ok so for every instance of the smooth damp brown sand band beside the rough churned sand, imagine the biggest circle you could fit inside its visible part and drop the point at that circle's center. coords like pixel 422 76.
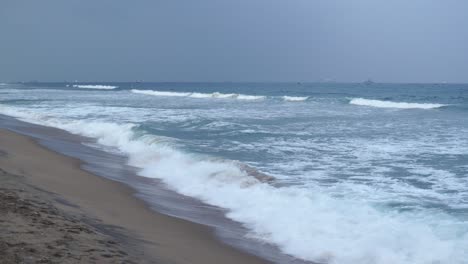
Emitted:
pixel 157 237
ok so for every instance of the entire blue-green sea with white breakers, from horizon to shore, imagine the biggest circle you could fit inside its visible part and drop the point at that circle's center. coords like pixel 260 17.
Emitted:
pixel 329 173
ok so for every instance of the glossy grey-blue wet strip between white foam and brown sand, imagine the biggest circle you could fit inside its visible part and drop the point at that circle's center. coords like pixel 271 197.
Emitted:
pixel 155 193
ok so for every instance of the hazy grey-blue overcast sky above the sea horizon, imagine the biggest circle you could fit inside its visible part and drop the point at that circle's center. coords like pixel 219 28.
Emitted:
pixel 234 40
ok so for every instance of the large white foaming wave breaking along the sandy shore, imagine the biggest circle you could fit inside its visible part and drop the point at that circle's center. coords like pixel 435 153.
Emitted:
pixel 304 222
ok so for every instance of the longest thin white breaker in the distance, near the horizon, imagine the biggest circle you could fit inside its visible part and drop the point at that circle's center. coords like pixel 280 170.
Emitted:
pixel 199 95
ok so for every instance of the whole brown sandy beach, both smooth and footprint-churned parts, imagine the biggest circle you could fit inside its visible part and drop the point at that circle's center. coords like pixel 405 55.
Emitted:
pixel 51 211
